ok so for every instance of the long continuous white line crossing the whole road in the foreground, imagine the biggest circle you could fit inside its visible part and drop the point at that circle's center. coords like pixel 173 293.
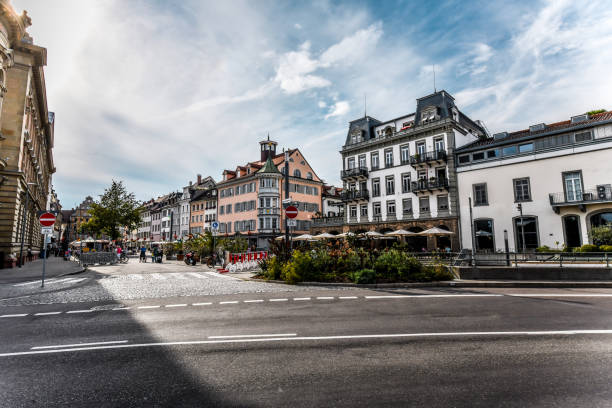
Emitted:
pixel 312 338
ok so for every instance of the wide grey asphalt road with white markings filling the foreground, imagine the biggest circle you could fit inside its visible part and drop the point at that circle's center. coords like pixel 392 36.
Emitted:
pixel 294 346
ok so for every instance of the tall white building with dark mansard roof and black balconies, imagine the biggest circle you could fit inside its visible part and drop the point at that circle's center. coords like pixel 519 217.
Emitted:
pixel 401 173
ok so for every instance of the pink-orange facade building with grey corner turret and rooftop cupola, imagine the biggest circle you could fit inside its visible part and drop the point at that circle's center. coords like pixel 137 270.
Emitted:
pixel 250 197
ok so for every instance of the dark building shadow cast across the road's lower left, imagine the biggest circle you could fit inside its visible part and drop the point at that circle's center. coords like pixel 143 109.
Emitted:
pixel 148 376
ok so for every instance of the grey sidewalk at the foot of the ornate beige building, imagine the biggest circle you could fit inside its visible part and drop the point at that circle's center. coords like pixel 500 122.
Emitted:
pixel 56 266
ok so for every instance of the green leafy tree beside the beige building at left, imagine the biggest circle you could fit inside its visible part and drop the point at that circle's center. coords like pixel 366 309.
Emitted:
pixel 116 208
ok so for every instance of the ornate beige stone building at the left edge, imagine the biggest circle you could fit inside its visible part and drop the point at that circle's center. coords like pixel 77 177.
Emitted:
pixel 26 136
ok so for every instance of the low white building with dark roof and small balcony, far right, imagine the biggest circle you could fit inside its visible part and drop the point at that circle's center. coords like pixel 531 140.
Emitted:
pixel 560 174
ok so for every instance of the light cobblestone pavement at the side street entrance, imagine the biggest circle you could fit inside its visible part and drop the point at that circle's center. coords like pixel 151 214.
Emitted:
pixel 146 280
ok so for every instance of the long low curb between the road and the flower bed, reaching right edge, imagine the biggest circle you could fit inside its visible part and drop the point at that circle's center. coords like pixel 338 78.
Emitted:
pixel 453 284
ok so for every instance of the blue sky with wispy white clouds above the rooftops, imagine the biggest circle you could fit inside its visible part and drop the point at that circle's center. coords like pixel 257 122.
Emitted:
pixel 154 92
